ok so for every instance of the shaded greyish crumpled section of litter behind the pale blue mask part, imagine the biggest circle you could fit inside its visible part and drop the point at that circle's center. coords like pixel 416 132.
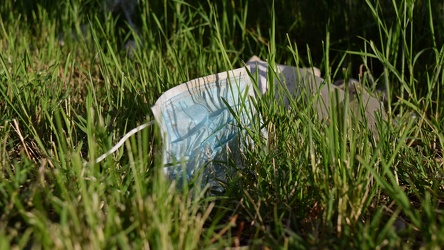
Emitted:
pixel 363 108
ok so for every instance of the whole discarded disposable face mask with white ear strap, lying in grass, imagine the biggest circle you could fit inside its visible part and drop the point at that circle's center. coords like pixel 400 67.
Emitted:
pixel 203 122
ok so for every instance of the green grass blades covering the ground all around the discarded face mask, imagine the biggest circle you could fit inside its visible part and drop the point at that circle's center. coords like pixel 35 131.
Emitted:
pixel 310 184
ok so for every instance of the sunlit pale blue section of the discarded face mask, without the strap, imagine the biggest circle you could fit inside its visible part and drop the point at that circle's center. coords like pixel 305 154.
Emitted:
pixel 199 121
